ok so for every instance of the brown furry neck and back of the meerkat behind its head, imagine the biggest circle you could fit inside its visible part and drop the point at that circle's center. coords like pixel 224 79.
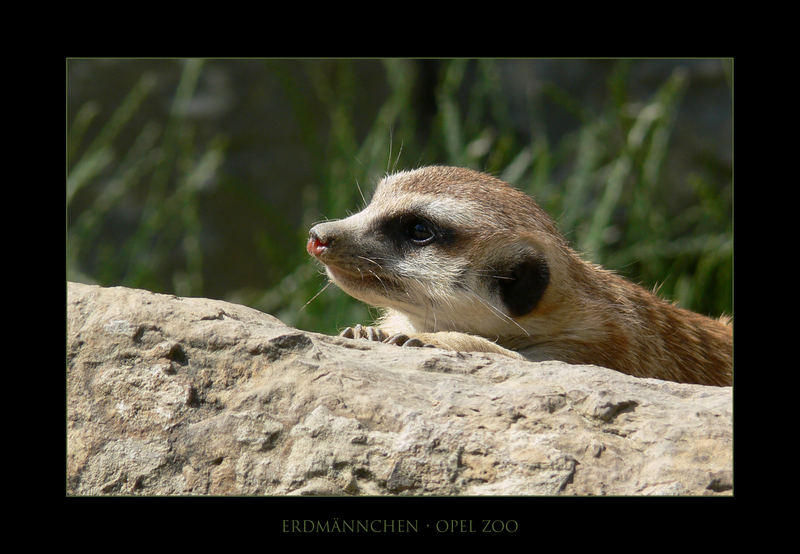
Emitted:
pixel 612 321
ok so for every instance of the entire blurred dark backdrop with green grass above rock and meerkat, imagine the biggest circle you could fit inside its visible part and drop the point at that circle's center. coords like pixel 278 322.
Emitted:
pixel 202 177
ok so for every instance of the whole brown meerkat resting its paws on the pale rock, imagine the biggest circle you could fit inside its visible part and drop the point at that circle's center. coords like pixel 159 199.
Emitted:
pixel 463 261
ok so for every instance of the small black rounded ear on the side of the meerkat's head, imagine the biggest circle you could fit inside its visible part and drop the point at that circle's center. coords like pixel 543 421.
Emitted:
pixel 523 283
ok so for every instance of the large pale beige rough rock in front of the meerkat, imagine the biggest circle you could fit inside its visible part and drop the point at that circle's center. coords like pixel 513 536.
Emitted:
pixel 191 396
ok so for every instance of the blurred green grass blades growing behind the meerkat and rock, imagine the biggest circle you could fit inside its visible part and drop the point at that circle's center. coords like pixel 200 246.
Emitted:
pixel 603 183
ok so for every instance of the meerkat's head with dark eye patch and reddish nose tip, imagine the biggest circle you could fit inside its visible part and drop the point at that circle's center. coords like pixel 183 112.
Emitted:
pixel 452 249
